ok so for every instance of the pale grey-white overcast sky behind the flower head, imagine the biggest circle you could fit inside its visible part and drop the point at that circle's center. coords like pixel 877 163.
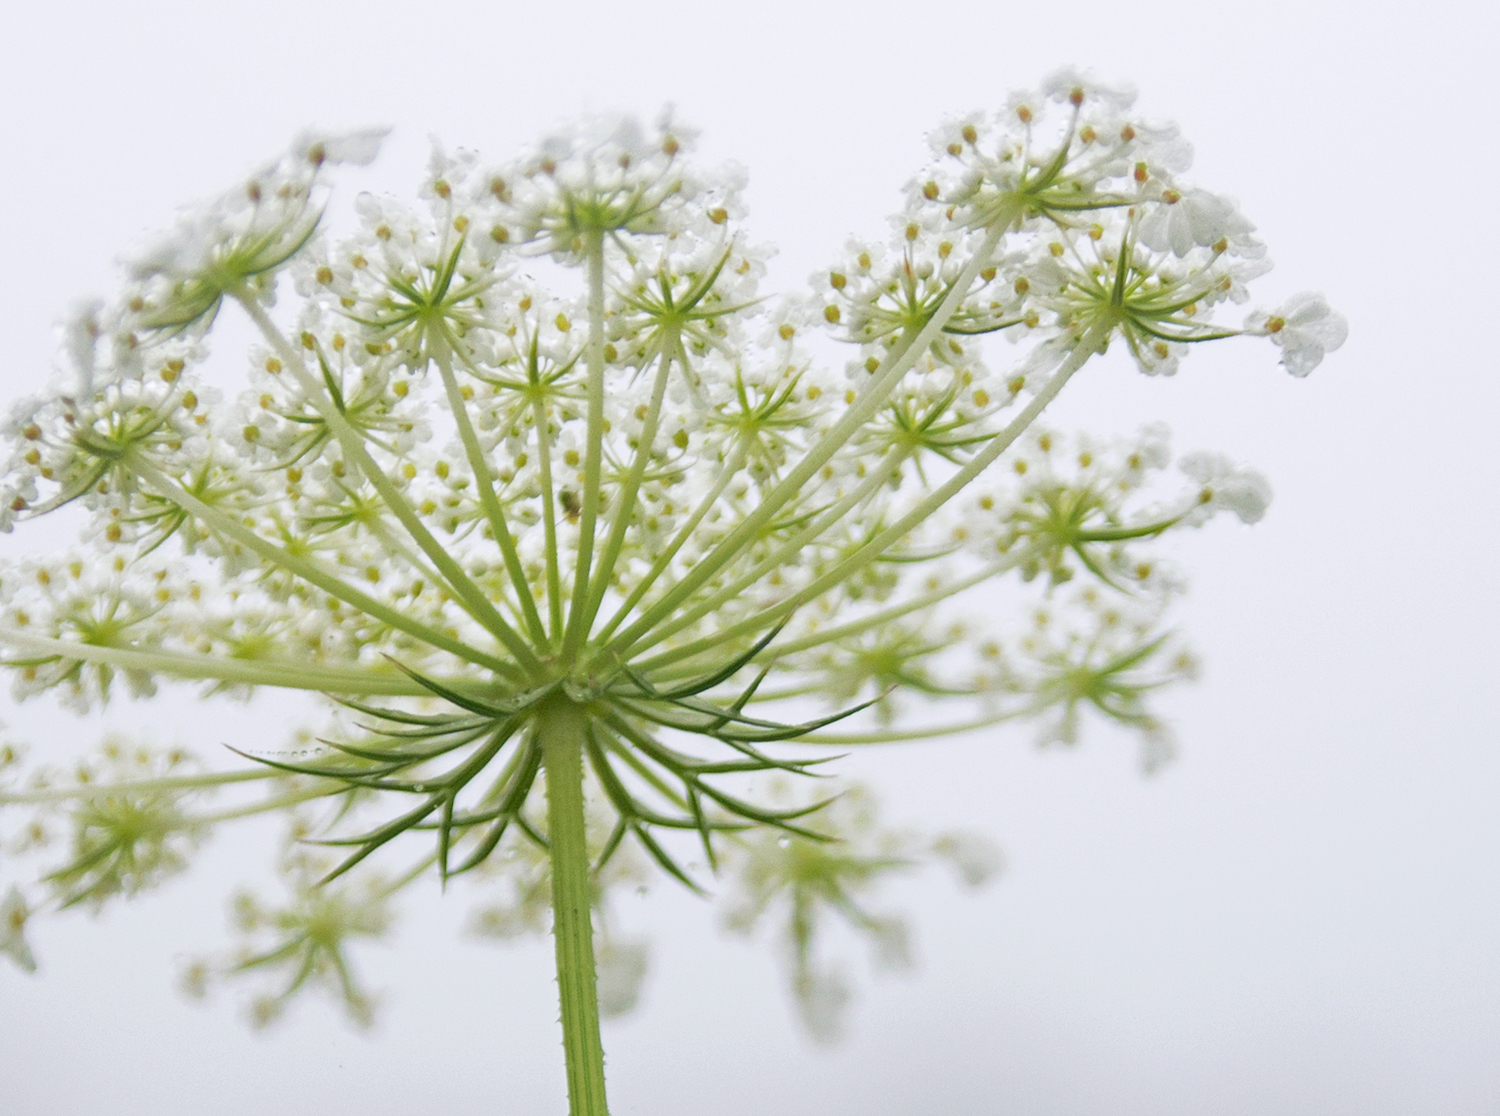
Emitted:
pixel 1301 917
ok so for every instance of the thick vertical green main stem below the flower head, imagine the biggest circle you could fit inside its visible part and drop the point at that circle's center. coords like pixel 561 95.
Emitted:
pixel 563 727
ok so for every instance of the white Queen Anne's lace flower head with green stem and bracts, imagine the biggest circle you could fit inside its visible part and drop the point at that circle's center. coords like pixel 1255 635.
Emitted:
pixel 527 538
